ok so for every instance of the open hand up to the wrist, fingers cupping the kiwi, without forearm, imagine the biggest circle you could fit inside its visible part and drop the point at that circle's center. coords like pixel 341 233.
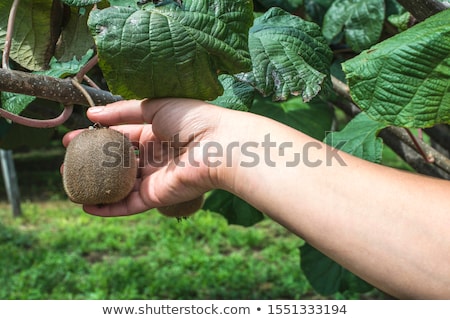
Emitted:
pixel 167 133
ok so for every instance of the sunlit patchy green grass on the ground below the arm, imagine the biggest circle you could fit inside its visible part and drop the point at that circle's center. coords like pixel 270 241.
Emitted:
pixel 56 251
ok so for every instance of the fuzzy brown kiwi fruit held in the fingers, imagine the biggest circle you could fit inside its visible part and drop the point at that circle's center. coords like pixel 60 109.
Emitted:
pixel 99 167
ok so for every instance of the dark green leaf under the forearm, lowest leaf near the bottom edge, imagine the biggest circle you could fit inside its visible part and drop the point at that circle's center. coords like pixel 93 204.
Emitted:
pixel 326 276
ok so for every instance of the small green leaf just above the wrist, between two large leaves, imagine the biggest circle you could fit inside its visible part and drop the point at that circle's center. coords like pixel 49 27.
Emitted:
pixel 237 95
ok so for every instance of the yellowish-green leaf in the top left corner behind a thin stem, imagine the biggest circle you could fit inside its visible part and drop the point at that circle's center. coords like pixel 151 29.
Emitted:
pixel 36 29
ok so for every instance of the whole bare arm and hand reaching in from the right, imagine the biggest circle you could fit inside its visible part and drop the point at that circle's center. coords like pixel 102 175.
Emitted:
pixel 387 226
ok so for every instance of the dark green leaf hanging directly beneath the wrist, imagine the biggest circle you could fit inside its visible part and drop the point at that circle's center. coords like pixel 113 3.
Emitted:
pixel 234 209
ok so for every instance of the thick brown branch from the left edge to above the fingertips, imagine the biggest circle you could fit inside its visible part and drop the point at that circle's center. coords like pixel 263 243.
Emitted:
pixel 50 88
